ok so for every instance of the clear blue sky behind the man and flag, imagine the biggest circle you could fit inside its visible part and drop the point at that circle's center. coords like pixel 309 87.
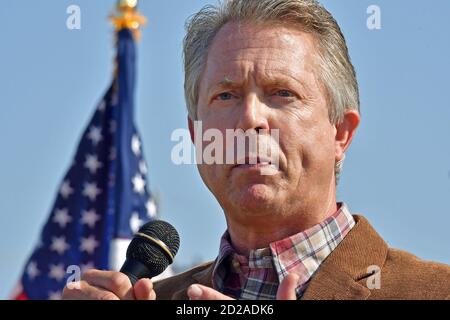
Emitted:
pixel 397 171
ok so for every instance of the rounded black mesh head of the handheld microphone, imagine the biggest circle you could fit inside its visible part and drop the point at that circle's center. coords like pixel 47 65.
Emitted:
pixel 151 254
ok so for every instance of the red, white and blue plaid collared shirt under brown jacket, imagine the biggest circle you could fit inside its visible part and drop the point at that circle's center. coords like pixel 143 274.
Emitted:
pixel 258 275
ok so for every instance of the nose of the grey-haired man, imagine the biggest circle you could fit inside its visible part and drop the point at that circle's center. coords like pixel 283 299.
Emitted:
pixel 253 114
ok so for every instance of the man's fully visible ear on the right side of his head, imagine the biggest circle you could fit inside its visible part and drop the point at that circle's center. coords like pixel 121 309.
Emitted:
pixel 345 131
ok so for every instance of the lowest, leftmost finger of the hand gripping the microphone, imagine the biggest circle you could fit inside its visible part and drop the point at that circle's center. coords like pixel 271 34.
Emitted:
pixel 82 290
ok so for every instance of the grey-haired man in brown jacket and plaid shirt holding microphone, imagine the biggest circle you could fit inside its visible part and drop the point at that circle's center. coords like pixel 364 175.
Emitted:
pixel 279 64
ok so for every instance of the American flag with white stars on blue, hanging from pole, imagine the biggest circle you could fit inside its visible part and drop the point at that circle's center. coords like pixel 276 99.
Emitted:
pixel 103 198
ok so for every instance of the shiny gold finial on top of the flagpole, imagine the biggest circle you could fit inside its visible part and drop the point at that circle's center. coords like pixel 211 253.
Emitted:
pixel 127 17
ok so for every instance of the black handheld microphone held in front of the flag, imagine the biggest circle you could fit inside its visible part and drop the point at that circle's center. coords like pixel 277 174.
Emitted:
pixel 151 250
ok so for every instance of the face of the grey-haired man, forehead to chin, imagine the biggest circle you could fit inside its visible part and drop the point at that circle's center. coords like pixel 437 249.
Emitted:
pixel 266 77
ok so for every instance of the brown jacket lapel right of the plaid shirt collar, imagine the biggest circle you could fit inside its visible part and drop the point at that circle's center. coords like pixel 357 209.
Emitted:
pixel 343 275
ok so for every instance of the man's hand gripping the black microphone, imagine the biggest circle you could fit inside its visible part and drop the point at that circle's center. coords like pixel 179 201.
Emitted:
pixel 108 285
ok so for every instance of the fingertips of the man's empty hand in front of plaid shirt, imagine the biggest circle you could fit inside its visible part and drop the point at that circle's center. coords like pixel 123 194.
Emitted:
pixel 286 291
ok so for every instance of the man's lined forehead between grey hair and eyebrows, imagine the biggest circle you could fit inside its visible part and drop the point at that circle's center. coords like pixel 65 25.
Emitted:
pixel 239 49
